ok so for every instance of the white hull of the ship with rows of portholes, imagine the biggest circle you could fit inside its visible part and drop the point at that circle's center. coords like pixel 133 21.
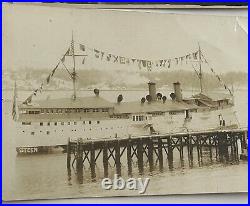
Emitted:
pixel 35 135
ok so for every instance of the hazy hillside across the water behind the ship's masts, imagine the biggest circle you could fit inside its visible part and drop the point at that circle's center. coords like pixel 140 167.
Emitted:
pixel 28 79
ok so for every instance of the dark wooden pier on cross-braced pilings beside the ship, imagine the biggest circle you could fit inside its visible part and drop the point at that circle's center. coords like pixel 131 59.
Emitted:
pixel 149 149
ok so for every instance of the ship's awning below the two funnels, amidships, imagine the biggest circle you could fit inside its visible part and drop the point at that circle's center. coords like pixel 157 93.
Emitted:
pixel 157 106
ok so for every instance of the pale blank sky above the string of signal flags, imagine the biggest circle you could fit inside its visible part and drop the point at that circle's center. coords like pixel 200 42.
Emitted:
pixel 38 36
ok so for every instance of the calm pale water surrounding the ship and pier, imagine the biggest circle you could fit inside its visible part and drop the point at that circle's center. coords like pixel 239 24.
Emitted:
pixel 46 176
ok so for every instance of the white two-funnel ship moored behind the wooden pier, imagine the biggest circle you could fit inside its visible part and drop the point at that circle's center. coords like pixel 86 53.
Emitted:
pixel 44 125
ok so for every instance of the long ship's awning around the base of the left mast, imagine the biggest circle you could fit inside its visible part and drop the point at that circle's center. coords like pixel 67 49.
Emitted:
pixel 79 102
